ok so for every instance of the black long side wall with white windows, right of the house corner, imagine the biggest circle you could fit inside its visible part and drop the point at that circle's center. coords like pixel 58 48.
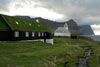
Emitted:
pixel 37 35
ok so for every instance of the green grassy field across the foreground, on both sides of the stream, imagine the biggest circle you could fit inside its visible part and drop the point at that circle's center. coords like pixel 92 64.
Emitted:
pixel 38 54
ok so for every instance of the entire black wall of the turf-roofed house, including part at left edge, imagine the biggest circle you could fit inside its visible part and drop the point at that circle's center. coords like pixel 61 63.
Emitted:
pixel 10 36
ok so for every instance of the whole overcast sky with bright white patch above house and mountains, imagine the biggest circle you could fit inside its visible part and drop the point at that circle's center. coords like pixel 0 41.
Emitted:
pixel 82 11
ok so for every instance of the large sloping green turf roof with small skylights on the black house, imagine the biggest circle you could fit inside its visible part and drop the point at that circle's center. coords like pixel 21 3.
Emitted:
pixel 25 25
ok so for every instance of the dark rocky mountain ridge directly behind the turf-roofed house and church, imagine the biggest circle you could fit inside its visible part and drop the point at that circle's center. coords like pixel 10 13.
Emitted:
pixel 53 25
